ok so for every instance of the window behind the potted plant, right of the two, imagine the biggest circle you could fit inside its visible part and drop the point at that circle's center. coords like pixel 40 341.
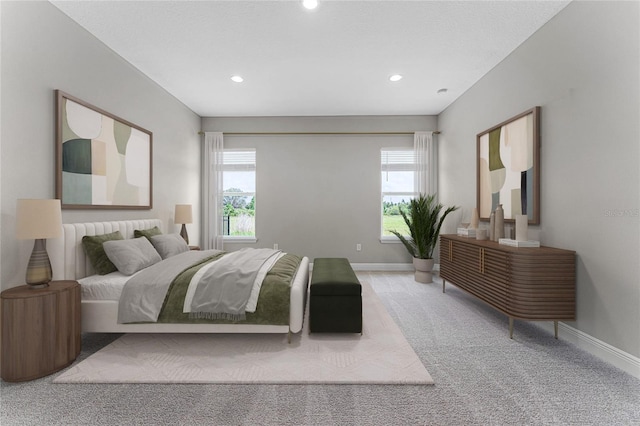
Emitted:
pixel 398 187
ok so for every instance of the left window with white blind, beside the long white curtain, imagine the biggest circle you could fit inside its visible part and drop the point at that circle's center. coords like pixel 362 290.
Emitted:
pixel 239 195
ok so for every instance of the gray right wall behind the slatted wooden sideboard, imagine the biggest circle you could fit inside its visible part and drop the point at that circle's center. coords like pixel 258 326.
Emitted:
pixel 582 68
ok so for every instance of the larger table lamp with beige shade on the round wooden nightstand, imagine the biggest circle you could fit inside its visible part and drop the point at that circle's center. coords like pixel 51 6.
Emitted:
pixel 38 220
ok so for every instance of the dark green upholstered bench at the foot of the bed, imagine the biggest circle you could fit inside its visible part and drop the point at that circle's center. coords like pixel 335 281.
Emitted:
pixel 335 301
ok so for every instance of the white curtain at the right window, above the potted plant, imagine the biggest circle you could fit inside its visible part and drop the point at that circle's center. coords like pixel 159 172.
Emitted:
pixel 426 151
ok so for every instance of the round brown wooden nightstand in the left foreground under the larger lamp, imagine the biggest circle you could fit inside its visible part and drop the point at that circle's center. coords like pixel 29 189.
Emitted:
pixel 40 330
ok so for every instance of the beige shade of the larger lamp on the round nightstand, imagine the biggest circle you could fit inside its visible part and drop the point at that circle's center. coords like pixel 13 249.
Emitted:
pixel 38 219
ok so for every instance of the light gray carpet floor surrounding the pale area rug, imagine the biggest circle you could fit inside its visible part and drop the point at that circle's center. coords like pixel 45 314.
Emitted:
pixel 482 378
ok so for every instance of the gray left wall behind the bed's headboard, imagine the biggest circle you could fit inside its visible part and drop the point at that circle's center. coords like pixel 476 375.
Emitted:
pixel 43 50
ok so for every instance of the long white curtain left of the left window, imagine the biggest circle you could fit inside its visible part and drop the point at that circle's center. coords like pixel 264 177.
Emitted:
pixel 213 190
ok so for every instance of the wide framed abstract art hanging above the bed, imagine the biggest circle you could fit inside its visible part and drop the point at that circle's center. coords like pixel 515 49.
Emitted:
pixel 102 161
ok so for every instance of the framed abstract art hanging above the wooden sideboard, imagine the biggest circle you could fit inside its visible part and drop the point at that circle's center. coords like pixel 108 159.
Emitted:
pixel 509 168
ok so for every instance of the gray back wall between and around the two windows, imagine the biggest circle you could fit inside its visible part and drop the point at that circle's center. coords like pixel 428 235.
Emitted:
pixel 319 195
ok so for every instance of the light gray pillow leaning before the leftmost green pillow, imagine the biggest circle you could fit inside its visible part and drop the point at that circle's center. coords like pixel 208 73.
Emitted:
pixel 131 255
